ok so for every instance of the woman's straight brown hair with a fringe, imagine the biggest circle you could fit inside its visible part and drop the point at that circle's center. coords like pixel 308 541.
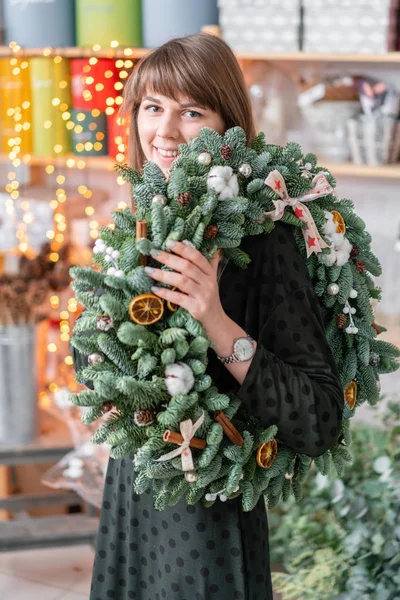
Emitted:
pixel 203 68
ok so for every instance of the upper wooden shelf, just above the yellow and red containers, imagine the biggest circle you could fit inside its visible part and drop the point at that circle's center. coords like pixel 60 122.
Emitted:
pixel 137 53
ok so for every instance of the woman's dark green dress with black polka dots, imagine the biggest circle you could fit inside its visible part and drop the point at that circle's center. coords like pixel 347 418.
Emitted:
pixel 196 553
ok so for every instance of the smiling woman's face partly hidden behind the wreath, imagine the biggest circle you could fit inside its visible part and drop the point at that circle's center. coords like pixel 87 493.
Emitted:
pixel 164 123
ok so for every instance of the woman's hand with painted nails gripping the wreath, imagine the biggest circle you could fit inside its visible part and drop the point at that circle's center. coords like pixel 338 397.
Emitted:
pixel 194 276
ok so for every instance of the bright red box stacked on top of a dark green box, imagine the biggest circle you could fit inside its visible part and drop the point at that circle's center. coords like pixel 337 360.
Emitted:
pixel 93 85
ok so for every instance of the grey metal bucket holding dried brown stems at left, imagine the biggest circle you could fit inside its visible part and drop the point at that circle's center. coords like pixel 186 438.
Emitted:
pixel 18 385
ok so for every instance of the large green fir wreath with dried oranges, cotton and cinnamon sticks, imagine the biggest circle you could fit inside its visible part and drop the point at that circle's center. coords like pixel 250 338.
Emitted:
pixel 148 359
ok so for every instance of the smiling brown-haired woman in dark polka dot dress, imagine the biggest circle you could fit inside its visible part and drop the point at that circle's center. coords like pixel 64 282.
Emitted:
pixel 191 552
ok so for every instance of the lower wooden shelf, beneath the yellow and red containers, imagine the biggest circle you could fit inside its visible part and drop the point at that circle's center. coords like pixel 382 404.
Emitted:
pixel 107 163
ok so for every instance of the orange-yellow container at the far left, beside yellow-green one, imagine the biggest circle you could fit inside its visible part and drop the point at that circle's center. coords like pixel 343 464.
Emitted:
pixel 15 106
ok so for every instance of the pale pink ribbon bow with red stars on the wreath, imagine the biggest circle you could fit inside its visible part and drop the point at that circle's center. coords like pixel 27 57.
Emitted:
pixel 321 188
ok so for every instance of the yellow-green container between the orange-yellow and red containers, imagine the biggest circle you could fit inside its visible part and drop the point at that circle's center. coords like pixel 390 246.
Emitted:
pixel 51 99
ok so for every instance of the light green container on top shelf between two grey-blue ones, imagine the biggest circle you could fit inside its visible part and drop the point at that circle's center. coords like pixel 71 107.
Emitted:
pixel 104 21
